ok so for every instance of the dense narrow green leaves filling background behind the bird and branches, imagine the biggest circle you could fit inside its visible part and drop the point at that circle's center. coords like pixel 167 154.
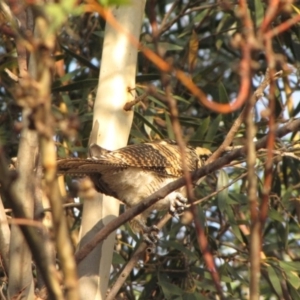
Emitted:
pixel 197 37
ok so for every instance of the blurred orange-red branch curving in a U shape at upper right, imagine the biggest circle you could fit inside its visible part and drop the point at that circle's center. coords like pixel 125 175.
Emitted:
pixel 245 65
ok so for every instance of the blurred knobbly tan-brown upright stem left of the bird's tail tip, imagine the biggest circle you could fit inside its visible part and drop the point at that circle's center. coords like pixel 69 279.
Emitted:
pixel 43 120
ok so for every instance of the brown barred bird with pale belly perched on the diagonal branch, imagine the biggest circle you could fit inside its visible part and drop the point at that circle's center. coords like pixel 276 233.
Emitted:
pixel 132 173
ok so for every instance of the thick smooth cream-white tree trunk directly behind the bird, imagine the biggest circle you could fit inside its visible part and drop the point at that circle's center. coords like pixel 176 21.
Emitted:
pixel 111 127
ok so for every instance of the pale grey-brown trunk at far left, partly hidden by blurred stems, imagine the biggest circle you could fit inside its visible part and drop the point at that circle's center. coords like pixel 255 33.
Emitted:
pixel 20 258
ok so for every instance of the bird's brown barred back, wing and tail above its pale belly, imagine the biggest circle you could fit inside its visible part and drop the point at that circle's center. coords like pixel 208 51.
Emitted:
pixel 162 158
